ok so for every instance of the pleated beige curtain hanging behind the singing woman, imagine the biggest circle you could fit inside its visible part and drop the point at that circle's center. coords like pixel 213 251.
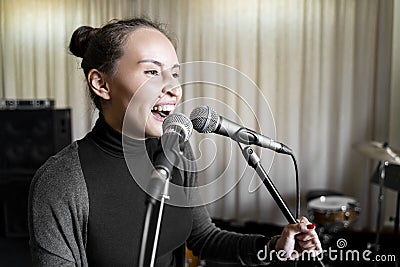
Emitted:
pixel 316 75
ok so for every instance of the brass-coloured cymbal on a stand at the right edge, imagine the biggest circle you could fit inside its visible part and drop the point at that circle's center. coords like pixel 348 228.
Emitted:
pixel 379 151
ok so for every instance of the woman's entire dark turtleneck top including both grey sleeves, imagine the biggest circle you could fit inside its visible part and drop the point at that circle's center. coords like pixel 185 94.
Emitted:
pixel 86 208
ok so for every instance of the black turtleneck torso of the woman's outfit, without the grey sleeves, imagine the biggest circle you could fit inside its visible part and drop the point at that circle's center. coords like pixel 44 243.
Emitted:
pixel 117 202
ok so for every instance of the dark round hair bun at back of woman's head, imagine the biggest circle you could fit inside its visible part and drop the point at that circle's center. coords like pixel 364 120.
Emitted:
pixel 80 40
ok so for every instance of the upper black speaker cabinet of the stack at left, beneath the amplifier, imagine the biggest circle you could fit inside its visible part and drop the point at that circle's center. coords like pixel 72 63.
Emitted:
pixel 29 137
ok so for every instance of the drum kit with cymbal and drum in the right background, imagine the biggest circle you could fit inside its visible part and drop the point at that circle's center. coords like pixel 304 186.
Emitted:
pixel 334 212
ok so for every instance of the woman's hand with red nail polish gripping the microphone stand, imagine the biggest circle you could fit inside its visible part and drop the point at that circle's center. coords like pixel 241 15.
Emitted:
pixel 296 238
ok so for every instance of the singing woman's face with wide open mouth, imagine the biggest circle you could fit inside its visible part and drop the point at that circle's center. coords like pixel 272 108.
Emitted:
pixel 145 88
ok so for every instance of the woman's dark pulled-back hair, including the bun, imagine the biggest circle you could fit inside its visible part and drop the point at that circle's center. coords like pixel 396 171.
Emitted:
pixel 100 48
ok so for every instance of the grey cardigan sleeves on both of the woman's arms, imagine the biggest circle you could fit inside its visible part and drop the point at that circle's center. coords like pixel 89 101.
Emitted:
pixel 59 211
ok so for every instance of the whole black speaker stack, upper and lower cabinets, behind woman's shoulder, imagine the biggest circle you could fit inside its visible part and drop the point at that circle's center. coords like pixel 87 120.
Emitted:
pixel 27 139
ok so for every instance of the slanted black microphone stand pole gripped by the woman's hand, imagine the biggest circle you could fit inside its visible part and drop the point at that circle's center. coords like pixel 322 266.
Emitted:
pixel 254 161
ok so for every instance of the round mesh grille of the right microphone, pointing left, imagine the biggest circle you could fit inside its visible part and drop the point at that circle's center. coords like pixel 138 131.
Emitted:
pixel 205 119
